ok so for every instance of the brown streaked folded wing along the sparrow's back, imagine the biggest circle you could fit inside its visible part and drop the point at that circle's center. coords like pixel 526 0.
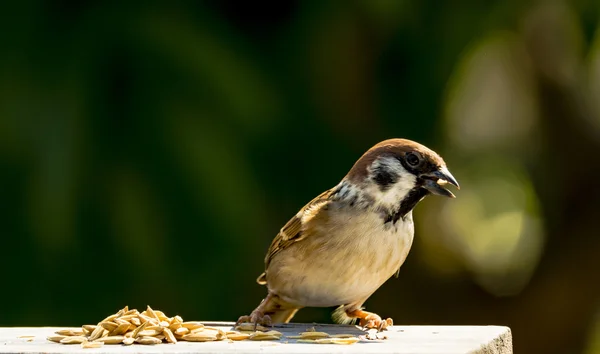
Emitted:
pixel 291 232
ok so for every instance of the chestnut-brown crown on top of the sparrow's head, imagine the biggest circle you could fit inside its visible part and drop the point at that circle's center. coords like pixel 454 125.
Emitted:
pixel 394 147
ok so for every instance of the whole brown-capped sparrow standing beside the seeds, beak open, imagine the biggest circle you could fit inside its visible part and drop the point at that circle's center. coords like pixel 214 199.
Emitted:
pixel 345 243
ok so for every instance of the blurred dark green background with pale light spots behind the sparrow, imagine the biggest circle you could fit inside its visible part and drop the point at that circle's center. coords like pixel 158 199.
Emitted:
pixel 150 153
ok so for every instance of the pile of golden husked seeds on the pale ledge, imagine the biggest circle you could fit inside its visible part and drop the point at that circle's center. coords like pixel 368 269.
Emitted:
pixel 149 327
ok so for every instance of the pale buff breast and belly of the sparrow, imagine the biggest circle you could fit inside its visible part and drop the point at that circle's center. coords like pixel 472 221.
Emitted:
pixel 343 266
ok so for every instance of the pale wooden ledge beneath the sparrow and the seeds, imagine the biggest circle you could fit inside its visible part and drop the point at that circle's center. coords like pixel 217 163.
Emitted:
pixel 401 339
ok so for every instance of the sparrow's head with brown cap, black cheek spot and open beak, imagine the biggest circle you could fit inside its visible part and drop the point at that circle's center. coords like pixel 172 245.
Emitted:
pixel 400 172
